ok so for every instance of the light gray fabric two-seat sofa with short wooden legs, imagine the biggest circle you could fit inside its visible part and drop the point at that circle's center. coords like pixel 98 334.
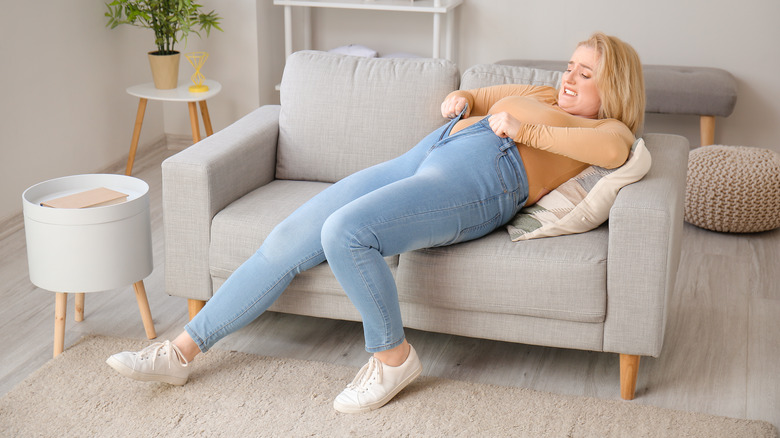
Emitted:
pixel 604 290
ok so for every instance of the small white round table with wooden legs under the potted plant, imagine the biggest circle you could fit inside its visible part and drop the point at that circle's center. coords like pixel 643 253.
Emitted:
pixel 147 91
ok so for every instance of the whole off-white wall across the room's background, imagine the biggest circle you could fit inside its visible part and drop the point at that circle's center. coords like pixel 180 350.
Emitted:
pixel 64 109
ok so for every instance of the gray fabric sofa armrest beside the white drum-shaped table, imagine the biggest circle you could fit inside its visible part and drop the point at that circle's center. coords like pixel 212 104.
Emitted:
pixel 202 180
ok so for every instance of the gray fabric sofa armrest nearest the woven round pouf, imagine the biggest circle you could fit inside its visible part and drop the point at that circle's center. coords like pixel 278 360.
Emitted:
pixel 645 232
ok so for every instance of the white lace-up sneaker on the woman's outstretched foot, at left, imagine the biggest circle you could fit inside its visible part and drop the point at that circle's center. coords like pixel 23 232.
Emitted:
pixel 159 362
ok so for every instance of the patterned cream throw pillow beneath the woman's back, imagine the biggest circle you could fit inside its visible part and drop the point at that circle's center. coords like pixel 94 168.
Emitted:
pixel 581 203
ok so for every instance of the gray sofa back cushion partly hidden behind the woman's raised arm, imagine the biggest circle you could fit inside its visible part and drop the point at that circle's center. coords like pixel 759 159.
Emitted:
pixel 486 75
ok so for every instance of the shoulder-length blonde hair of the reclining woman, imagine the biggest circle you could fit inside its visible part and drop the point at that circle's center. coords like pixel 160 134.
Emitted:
pixel 620 80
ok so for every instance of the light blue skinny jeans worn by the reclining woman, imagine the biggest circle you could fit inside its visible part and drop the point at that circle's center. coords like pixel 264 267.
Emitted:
pixel 445 190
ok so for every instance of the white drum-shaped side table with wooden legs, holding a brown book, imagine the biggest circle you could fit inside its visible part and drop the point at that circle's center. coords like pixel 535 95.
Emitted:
pixel 79 250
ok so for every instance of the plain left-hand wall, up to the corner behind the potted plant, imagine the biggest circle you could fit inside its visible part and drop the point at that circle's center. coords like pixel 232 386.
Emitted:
pixel 64 109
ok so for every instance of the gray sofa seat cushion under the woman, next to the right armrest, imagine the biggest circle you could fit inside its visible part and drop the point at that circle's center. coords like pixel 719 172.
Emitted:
pixel 495 275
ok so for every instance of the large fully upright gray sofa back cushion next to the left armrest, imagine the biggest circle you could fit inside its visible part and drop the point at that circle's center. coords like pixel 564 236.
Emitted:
pixel 341 114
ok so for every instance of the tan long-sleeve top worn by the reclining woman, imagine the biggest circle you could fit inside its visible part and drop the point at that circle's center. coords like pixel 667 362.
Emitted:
pixel 554 145
